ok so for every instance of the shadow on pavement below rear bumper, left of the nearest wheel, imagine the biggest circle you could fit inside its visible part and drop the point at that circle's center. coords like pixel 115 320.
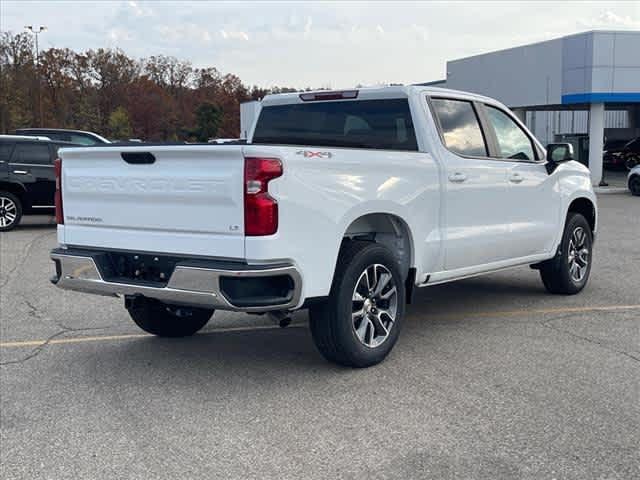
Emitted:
pixel 261 356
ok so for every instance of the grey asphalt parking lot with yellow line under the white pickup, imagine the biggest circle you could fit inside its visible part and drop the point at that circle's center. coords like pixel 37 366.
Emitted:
pixel 492 378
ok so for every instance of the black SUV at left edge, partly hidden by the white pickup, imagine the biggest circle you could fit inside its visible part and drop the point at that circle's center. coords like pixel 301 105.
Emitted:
pixel 27 178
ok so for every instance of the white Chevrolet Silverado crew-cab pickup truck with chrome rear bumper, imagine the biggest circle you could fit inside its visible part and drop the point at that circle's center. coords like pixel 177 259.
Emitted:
pixel 342 202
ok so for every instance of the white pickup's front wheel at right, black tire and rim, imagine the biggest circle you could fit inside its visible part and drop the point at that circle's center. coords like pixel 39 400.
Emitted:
pixel 558 274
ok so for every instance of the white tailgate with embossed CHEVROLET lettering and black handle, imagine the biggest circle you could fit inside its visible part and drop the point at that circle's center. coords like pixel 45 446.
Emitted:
pixel 185 199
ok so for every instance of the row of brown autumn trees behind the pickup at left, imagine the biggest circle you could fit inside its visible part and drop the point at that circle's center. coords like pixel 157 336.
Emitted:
pixel 104 90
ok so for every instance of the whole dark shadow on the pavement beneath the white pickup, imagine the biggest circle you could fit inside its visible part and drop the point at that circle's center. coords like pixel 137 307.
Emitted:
pixel 266 354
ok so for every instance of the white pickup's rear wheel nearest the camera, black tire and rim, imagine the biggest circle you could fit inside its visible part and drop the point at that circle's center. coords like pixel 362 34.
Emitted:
pixel 333 324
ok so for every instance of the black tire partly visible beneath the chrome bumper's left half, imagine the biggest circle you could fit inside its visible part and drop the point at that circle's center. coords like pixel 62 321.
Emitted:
pixel 165 320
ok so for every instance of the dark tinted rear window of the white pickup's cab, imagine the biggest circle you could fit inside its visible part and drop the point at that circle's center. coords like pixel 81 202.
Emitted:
pixel 378 124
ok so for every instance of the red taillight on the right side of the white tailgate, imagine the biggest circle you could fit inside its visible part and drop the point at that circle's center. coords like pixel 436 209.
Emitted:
pixel 260 209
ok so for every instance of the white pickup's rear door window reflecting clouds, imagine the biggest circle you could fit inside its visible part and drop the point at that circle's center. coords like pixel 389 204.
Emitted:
pixel 460 127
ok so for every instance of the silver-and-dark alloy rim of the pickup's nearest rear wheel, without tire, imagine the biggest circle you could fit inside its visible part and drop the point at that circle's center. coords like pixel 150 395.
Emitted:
pixel 374 305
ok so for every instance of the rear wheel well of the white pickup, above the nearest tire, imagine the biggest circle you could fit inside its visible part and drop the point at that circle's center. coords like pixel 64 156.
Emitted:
pixel 392 232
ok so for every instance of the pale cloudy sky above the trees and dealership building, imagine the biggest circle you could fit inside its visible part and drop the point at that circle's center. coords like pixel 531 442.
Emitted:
pixel 313 44
